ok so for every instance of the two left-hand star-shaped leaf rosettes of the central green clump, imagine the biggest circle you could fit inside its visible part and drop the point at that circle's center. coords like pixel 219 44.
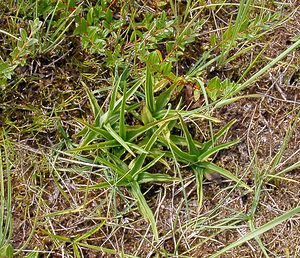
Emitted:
pixel 117 142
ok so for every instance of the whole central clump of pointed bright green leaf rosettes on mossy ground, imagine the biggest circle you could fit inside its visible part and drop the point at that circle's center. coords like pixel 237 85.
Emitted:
pixel 124 149
